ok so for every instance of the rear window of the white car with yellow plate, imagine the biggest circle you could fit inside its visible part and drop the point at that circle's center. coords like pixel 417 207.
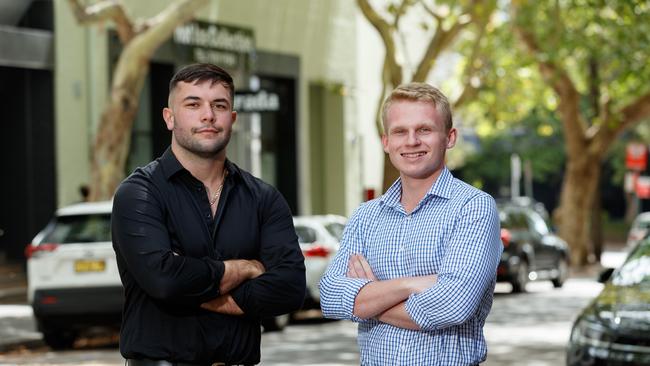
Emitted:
pixel 80 229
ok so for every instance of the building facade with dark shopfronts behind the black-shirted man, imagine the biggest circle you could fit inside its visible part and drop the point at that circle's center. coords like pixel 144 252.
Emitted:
pixel 296 69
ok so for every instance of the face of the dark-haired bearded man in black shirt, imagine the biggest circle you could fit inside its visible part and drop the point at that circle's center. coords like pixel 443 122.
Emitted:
pixel 200 117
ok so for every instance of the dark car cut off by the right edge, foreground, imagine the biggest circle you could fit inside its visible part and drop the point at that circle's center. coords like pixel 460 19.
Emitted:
pixel 614 329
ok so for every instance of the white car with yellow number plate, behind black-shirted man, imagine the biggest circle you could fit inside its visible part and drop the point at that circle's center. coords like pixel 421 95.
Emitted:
pixel 73 282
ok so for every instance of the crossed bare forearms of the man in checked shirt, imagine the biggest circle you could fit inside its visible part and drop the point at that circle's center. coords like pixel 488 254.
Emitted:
pixel 385 300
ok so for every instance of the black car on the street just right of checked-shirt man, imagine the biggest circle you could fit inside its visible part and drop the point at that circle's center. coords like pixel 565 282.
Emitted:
pixel 531 251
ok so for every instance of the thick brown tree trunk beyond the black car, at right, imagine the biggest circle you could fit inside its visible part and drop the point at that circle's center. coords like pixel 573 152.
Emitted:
pixel 576 203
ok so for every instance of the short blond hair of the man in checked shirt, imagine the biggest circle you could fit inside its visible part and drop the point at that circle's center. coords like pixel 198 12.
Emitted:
pixel 419 92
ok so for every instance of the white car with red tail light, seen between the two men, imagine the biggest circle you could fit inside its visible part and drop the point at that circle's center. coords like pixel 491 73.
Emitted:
pixel 319 237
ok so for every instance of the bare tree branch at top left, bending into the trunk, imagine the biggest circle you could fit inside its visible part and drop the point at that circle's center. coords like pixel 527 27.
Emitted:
pixel 105 10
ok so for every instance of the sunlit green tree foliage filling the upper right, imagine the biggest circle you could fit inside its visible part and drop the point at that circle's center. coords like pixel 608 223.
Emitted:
pixel 577 35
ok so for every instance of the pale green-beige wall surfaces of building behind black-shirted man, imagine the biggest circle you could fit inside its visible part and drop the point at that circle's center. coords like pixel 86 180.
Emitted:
pixel 321 33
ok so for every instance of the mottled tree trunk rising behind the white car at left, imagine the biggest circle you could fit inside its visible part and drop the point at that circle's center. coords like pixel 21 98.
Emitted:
pixel 113 138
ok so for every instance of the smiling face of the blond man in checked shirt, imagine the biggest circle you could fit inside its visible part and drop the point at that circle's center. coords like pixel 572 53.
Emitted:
pixel 415 139
